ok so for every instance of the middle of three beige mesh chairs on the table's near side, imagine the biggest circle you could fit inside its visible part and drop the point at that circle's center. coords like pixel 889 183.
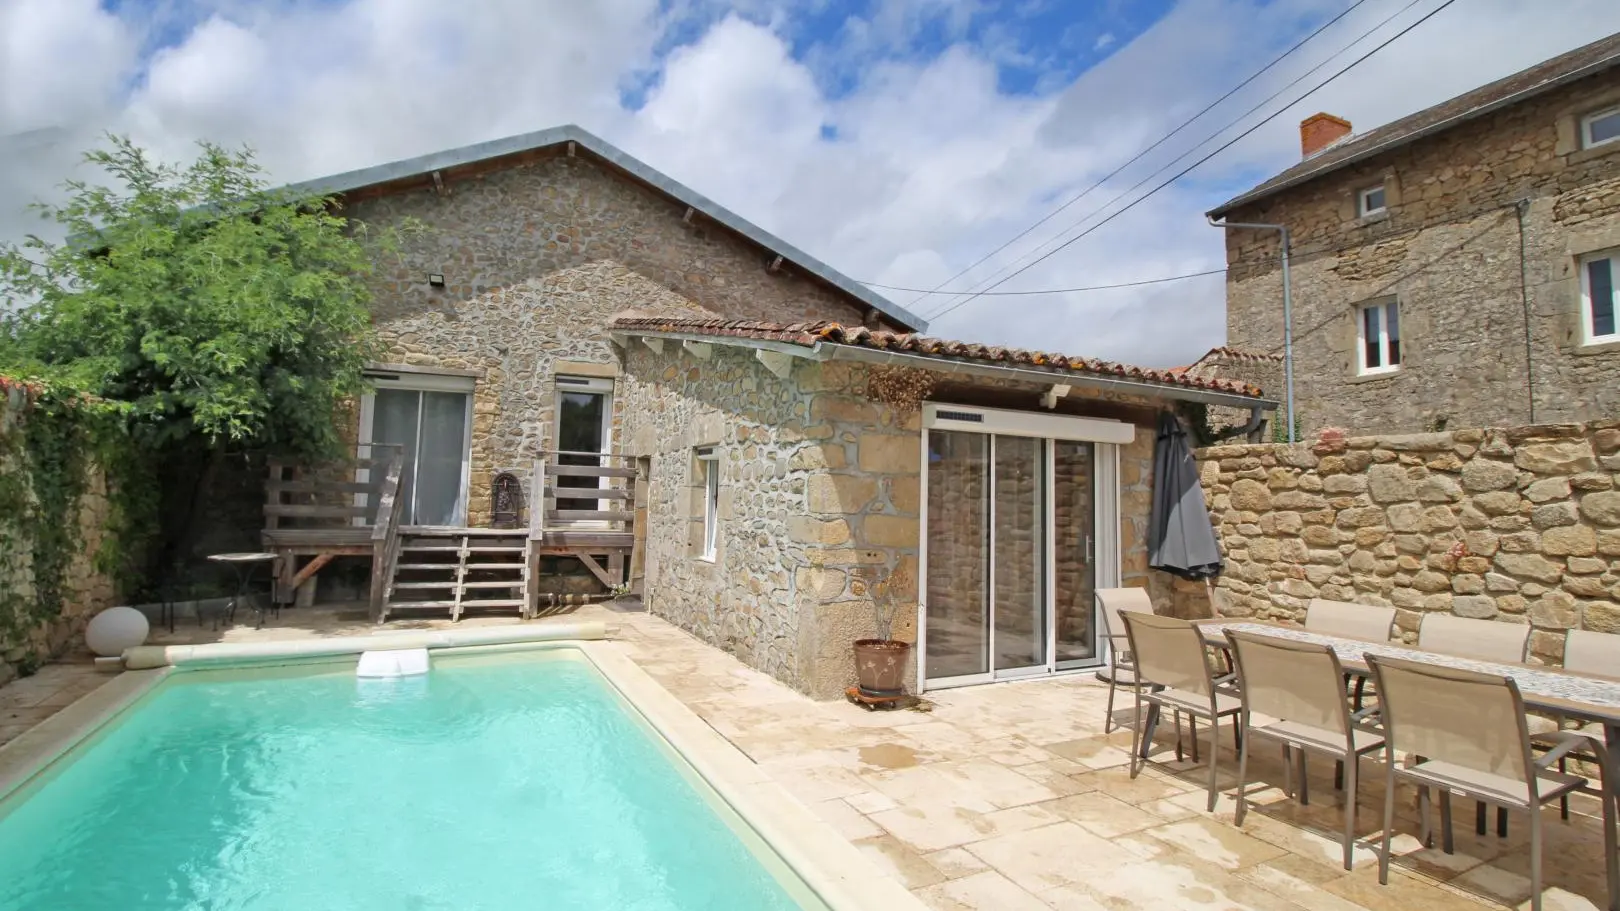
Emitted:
pixel 1300 688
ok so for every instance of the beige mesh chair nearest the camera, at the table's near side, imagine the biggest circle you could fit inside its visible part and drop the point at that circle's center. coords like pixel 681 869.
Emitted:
pixel 1465 735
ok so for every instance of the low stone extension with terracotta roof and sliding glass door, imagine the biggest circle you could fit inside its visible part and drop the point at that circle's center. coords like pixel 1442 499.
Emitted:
pixel 817 434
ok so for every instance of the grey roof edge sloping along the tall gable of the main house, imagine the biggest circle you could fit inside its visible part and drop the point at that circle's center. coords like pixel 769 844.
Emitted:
pixel 610 153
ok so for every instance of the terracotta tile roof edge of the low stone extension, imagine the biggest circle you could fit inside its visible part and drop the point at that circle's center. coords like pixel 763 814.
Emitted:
pixel 808 335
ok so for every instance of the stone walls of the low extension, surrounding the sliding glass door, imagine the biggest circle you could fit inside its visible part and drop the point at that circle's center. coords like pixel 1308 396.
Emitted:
pixel 819 502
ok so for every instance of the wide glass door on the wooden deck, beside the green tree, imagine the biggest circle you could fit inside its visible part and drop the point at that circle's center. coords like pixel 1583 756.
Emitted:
pixel 430 417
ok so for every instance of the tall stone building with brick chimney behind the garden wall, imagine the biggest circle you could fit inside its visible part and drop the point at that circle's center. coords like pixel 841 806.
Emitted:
pixel 1454 268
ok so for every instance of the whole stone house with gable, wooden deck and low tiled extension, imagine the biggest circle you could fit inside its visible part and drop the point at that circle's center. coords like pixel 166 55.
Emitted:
pixel 752 429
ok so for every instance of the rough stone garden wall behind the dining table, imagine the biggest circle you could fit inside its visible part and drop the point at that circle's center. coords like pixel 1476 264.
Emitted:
pixel 1517 526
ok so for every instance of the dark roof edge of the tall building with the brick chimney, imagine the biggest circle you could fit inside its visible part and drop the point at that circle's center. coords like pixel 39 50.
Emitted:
pixel 1527 83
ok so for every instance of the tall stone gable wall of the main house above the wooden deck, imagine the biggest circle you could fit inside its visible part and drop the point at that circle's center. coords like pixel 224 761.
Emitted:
pixel 537 260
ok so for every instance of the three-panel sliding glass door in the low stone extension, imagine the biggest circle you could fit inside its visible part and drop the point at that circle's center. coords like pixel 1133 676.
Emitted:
pixel 1012 557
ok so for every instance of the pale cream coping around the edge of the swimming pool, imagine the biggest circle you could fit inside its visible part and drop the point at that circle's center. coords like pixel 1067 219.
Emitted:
pixel 824 860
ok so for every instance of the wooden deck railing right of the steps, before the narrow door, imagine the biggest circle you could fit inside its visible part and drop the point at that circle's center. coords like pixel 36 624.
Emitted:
pixel 555 505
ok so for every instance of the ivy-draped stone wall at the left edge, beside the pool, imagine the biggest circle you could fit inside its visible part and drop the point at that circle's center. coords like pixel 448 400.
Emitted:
pixel 23 644
